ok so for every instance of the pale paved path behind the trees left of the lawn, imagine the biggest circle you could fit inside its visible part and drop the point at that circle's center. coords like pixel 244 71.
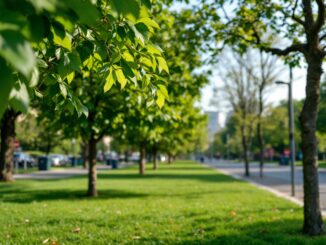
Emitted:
pixel 63 173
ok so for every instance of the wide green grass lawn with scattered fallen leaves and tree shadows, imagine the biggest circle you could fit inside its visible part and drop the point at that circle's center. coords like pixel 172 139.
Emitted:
pixel 183 203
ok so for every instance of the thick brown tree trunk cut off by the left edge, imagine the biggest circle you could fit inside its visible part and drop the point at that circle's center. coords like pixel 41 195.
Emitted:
pixel 7 145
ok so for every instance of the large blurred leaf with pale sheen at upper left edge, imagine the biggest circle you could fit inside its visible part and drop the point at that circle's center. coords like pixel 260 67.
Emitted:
pixel 17 51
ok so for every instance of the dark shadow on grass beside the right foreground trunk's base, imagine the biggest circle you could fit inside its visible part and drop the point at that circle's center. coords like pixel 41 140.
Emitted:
pixel 223 232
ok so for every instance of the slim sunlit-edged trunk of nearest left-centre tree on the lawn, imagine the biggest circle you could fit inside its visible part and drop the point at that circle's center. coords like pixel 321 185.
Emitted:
pixel 92 176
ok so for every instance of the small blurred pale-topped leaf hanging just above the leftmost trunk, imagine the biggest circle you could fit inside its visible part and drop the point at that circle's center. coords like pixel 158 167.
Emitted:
pixel 19 98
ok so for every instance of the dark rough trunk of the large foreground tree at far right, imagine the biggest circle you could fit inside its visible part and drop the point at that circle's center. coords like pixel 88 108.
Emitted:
pixel 313 224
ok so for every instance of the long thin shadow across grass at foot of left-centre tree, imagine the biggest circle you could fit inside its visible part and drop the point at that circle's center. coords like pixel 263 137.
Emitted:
pixel 28 196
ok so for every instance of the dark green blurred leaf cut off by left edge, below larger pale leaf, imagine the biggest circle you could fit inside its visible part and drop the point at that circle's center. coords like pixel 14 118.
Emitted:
pixel 6 83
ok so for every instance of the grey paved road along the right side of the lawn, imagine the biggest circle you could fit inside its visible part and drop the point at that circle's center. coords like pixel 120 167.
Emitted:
pixel 276 177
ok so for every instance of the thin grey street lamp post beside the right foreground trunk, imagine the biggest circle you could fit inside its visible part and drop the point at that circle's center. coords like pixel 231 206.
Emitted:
pixel 291 130
